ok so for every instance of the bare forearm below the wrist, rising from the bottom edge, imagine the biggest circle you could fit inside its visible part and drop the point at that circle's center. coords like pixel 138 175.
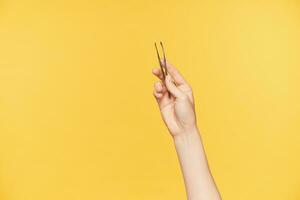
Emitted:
pixel 198 180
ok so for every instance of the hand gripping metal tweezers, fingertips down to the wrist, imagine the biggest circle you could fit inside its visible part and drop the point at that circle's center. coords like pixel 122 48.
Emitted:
pixel 177 110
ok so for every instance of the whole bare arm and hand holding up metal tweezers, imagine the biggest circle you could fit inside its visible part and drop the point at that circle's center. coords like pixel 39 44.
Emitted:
pixel 178 114
